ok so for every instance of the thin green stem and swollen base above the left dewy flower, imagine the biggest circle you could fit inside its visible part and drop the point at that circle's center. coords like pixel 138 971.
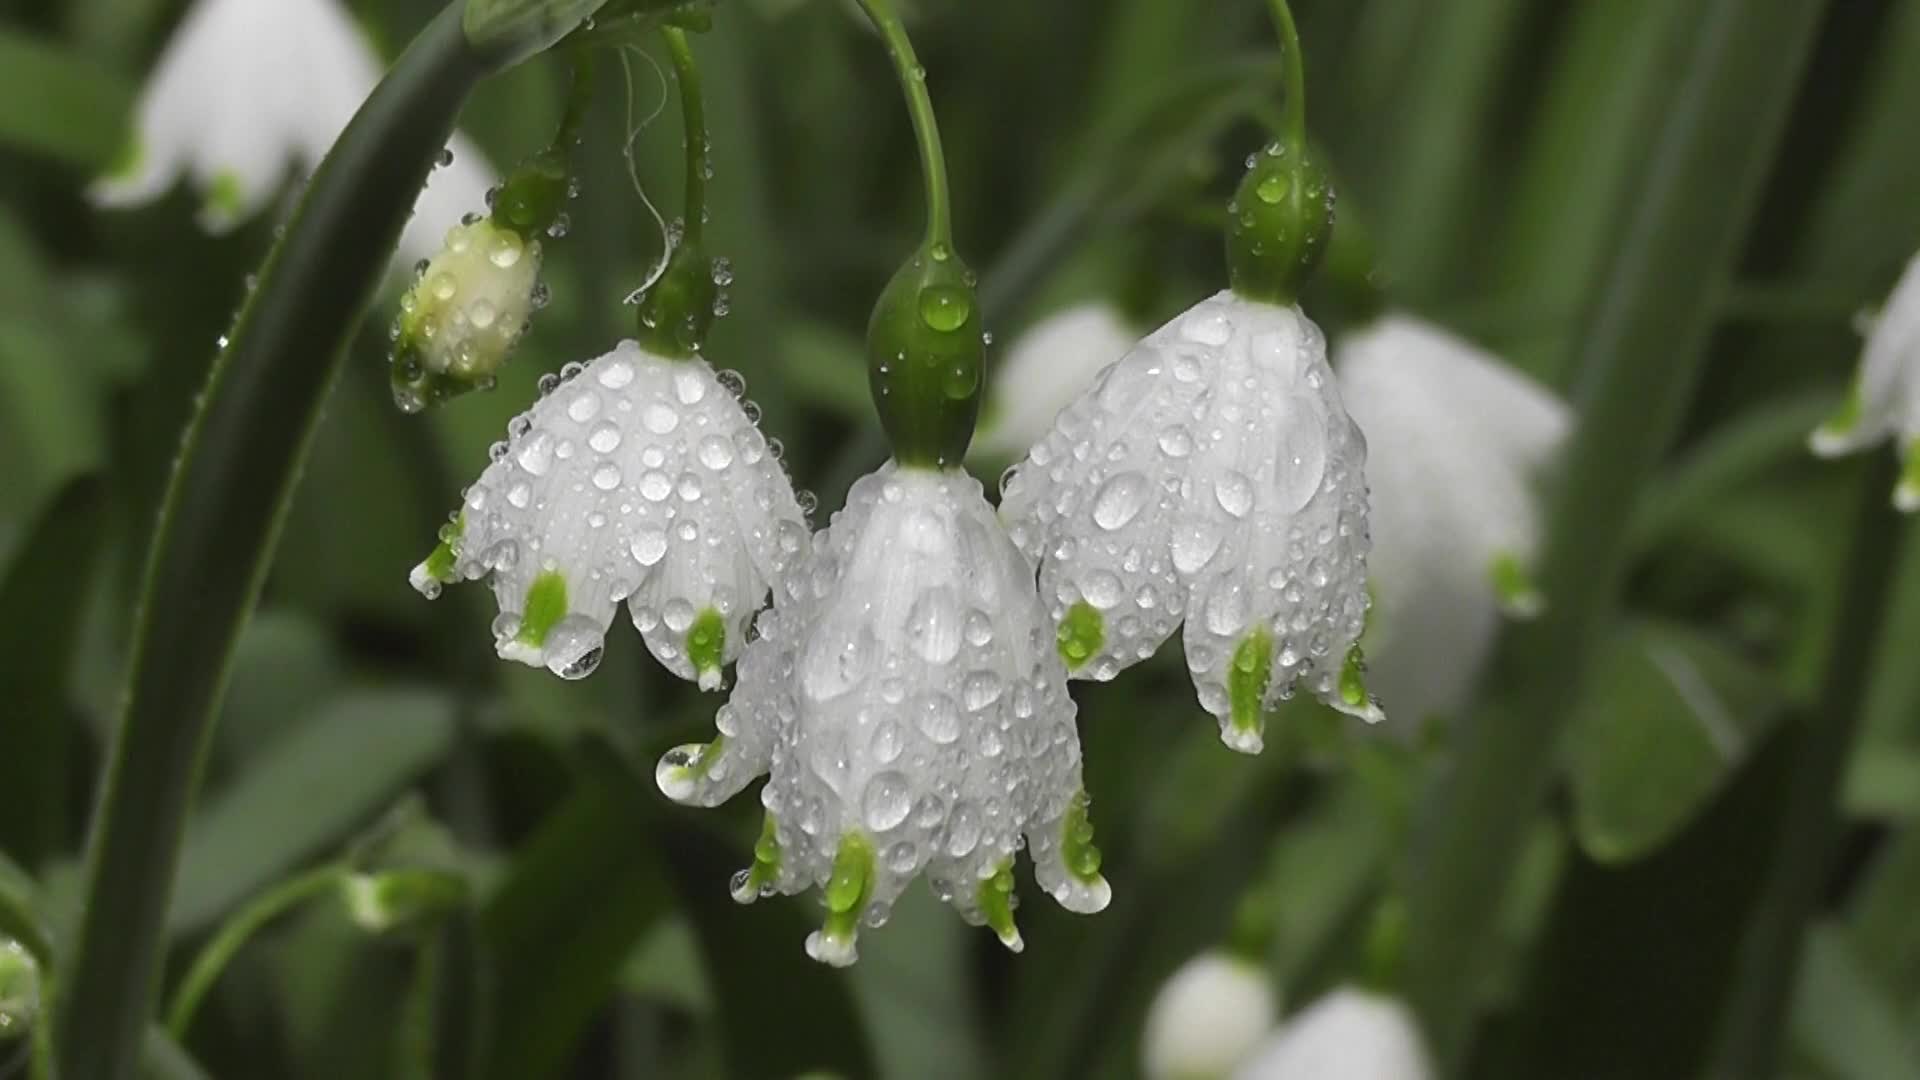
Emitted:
pixel 679 310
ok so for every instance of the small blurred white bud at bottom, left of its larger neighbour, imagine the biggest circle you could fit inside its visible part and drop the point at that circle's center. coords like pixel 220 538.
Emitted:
pixel 1207 1019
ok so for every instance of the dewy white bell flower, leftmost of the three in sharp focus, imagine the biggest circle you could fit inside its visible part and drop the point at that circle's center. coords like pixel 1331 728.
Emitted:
pixel 638 479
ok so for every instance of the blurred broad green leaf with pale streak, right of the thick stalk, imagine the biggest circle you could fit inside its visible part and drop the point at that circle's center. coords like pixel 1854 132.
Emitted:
pixel 1669 718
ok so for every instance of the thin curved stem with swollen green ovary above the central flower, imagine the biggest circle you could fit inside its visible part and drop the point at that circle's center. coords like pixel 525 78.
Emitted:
pixel 924 341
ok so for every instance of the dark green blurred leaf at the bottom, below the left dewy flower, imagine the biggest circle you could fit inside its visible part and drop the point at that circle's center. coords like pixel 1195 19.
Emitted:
pixel 564 921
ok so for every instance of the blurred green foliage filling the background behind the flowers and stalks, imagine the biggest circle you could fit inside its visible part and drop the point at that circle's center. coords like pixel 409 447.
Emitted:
pixel 1491 149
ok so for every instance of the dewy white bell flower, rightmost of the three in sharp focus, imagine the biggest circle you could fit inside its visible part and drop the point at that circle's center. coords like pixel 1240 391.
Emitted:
pixel 1212 478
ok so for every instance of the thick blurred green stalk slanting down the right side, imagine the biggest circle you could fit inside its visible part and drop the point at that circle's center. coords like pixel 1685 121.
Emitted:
pixel 1644 351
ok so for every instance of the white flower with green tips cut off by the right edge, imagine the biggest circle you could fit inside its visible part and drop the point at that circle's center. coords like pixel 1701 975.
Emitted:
pixel 1886 395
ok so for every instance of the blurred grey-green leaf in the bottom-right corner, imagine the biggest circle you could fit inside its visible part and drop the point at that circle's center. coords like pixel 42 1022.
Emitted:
pixel 1842 1021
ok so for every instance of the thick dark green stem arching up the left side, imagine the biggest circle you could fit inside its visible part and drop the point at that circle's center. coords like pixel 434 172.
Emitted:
pixel 220 524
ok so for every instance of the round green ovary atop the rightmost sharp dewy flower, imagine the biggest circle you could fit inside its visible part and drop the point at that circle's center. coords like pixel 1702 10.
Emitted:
pixel 1280 224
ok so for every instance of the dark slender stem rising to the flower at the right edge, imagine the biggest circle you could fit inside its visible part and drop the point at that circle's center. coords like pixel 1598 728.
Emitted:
pixel 1765 977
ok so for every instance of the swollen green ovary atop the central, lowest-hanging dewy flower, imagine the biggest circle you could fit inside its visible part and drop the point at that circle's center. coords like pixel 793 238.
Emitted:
pixel 926 353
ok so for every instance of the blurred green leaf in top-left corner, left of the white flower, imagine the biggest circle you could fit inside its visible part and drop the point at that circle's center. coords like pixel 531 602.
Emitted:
pixel 59 105
